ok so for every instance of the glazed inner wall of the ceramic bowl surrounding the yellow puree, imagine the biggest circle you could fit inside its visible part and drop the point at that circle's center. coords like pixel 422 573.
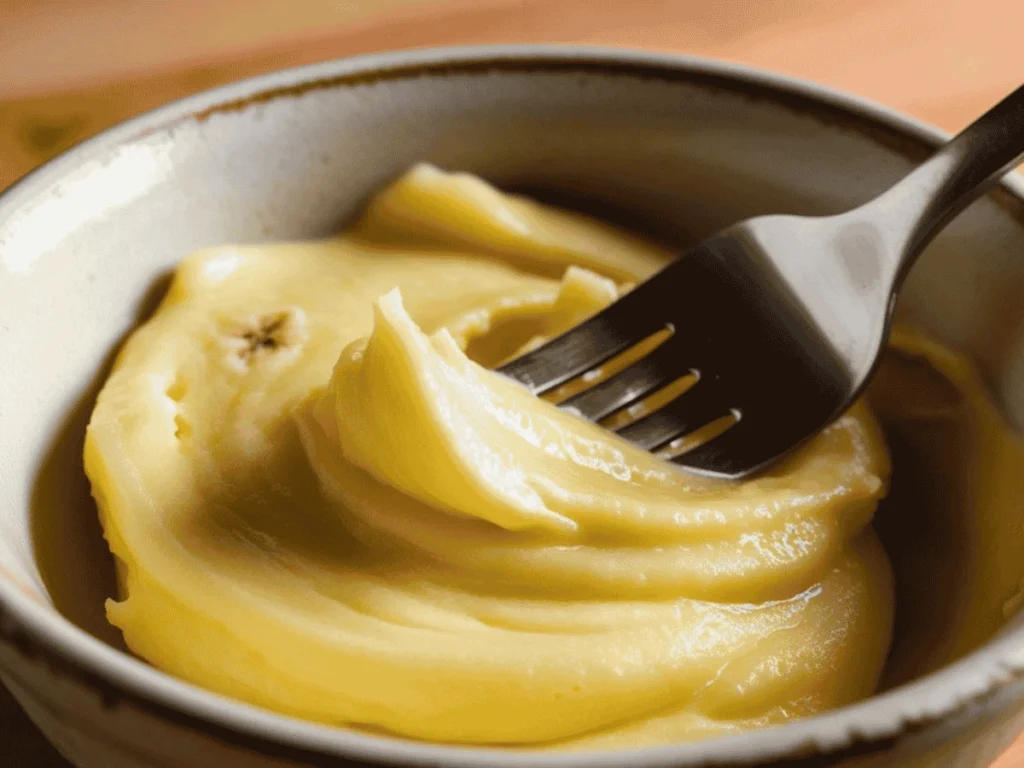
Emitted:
pixel 86 249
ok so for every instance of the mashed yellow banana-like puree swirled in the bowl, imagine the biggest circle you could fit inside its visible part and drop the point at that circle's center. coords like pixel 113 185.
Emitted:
pixel 322 505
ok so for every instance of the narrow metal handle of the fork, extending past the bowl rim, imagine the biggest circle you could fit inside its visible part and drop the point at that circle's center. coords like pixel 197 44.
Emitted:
pixel 920 205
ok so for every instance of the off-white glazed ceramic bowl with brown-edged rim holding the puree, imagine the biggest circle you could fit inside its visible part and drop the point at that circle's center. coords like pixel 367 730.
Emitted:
pixel 672 146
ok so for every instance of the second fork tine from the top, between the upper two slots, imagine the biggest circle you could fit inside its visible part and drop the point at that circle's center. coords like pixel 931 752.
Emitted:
pixel 634 383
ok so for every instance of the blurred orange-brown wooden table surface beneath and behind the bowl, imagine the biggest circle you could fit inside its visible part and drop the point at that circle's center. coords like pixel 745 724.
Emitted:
pixel 943 61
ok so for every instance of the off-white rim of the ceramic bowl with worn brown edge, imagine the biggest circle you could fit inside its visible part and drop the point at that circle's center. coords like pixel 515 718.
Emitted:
pixel 877 723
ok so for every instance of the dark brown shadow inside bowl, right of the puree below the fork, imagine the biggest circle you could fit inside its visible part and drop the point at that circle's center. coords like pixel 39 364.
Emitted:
pixel 955 498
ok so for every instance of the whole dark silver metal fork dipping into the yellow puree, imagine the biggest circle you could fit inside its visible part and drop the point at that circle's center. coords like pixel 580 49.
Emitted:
pixel 782 319
